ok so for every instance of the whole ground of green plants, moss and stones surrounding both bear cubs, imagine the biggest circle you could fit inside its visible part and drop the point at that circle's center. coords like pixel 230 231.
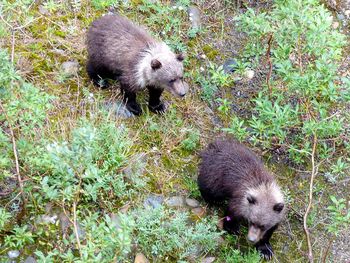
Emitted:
pixel 82 181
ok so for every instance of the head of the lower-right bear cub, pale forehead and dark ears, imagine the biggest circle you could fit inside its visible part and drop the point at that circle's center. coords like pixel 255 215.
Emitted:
pixel 264 209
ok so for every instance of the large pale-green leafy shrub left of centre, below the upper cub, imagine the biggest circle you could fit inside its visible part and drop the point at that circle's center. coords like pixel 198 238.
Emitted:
pixel 90 164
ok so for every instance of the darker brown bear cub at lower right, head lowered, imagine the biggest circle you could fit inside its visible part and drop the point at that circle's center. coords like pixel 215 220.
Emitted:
pixel 230 171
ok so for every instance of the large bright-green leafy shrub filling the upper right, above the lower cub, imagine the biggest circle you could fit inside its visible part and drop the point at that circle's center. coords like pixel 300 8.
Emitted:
pixel 304 96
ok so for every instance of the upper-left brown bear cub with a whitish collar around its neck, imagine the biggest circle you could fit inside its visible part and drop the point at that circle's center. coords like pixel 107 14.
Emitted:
pixel 118 49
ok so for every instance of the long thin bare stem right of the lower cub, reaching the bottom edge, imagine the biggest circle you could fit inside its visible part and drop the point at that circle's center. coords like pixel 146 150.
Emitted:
pixel 313 174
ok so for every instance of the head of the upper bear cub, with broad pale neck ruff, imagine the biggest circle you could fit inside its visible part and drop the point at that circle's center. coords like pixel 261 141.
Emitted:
pixel 164 69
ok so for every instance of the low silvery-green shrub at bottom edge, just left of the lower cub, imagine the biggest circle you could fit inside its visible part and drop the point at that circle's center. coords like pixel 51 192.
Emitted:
pixel 168 234
